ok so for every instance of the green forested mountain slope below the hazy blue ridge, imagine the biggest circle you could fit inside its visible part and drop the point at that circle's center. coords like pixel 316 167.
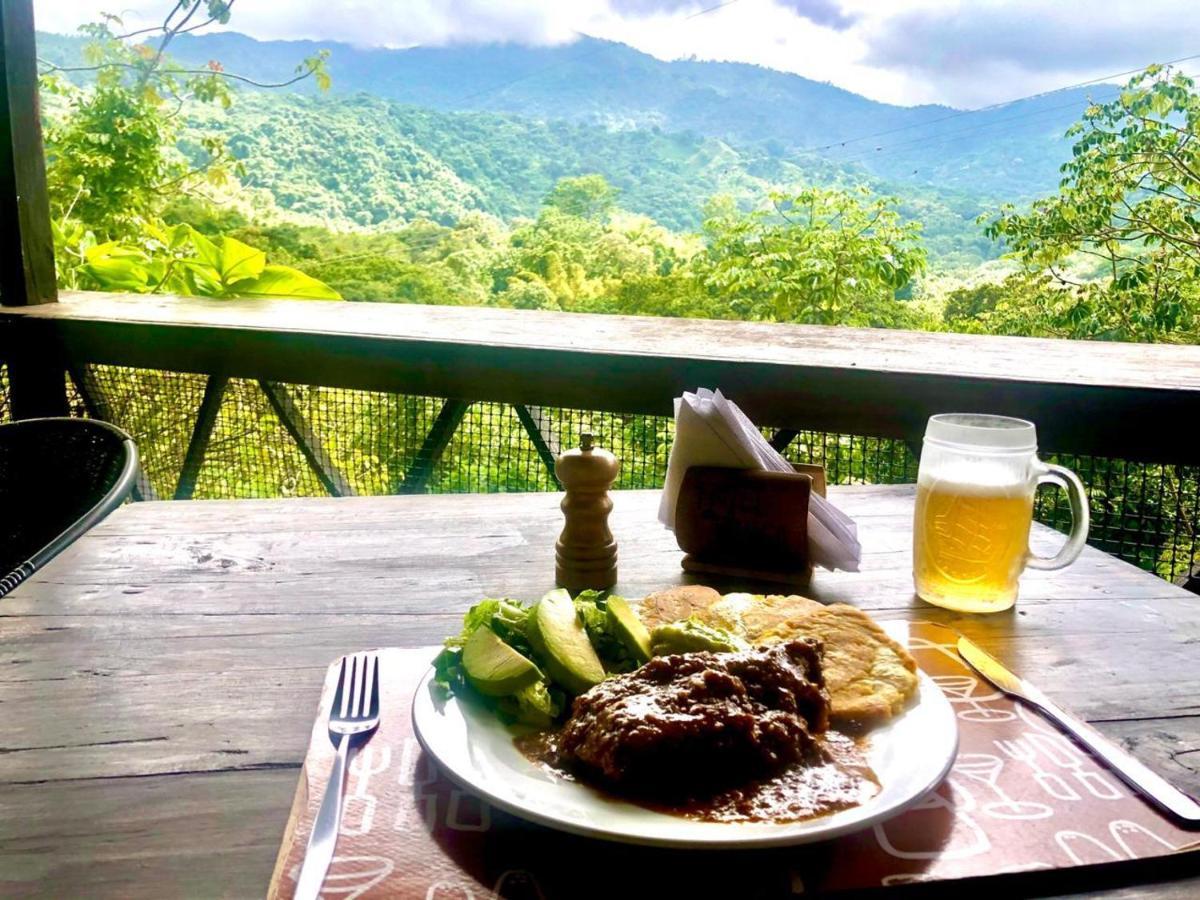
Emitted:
pixel 365 161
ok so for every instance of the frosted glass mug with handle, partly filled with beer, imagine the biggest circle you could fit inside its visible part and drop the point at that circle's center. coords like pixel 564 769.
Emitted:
pixel 975 505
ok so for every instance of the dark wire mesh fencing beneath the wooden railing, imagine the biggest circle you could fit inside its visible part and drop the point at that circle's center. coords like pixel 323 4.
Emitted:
pixel 382 443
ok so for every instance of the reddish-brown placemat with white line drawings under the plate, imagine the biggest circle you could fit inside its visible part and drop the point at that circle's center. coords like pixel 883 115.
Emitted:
pixel 1021 797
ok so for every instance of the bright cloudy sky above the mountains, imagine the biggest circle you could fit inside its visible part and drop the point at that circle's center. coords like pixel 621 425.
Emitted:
pixel 965 53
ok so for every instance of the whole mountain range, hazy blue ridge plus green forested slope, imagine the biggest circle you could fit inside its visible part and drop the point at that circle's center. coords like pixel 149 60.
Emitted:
pixel 441 133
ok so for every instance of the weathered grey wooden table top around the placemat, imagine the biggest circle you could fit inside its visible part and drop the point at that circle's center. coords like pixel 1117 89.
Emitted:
pixel 158 681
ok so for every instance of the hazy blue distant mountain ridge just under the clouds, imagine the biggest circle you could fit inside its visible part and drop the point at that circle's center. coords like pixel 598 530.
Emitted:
pixel 1011 152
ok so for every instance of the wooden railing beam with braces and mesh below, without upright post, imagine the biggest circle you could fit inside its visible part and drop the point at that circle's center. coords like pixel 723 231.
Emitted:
pixel 1114 405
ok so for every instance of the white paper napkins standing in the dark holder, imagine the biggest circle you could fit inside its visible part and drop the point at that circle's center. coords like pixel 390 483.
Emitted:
pixel 711 430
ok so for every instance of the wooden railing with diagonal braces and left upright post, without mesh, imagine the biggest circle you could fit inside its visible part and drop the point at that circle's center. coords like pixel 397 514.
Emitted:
pixel 1124 403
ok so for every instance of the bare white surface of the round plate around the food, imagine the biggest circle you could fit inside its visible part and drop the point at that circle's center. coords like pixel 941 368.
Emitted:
pixel 910 755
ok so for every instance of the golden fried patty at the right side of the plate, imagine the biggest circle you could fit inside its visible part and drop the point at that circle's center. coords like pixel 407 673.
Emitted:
pixel 869 676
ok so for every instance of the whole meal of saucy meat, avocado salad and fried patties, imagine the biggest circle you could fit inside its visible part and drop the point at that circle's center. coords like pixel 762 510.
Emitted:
pixel 727 709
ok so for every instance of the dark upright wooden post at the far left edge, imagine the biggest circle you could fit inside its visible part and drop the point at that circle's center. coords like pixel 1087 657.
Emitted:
pixel 27 249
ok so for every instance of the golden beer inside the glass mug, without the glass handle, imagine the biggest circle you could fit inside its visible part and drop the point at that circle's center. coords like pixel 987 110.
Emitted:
pixel 971 539
